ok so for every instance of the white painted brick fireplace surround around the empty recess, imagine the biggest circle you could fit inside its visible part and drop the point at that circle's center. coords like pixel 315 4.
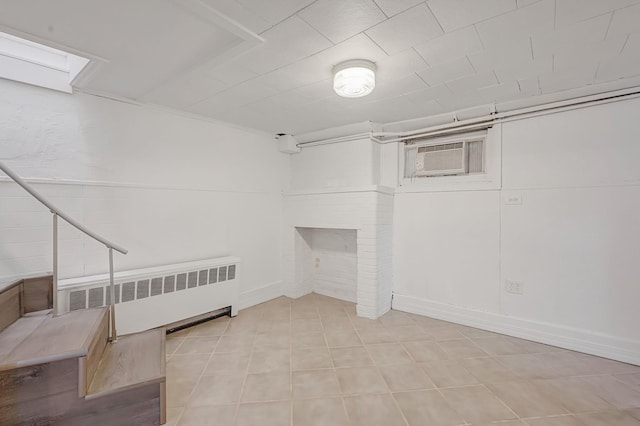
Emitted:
pixel 367 210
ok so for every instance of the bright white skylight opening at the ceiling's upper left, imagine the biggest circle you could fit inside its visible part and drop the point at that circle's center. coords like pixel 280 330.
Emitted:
pixel 33 63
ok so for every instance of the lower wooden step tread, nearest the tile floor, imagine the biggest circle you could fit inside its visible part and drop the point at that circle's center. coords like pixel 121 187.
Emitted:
pixel 133 361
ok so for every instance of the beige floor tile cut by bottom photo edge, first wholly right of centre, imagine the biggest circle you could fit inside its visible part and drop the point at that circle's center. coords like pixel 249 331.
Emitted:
pixel 373 410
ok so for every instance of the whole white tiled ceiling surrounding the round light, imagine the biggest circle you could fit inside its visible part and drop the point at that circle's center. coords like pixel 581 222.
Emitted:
pixel 267 64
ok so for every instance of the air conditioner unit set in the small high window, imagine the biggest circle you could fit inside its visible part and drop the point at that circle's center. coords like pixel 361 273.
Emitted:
pixel 439 160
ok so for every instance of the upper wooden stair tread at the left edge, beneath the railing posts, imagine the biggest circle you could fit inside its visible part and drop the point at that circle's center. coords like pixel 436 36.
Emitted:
pixel 40 338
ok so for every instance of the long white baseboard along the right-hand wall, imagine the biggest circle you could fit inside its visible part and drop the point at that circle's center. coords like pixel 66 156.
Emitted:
pixel 576 339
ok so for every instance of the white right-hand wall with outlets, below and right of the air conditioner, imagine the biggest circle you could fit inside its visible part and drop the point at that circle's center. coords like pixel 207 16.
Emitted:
pixel 573 242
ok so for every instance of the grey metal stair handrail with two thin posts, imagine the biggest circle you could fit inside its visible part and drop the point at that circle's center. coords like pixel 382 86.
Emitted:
pixel 57 213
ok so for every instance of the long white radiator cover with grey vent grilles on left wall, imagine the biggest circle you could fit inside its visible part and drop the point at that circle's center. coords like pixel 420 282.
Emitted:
pixel 154 297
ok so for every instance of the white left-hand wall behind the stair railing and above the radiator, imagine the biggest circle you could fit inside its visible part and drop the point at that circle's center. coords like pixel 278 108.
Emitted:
pixel 167 187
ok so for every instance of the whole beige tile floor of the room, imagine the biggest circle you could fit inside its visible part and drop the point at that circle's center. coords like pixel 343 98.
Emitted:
pixel 312 361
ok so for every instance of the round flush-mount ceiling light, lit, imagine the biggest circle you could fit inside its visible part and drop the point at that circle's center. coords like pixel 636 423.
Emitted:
pixel 355 78
